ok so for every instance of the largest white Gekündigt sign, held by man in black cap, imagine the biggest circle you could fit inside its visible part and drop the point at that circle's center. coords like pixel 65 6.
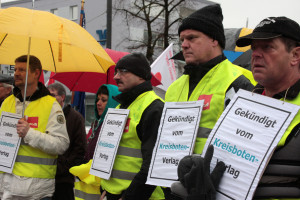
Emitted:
pixel 245 137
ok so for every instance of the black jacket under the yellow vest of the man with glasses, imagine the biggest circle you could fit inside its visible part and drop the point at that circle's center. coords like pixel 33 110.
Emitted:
pixel 147 133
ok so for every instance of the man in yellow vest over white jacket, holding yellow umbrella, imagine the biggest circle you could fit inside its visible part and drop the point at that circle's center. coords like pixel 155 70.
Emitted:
pixel 43 132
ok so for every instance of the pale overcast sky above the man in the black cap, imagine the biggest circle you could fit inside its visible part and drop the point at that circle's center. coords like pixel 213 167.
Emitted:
pixel 235 12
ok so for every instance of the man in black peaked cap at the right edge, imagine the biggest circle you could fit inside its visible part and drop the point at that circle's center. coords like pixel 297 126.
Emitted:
pixel 275 63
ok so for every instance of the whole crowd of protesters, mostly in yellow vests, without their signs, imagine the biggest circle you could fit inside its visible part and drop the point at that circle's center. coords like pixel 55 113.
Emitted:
pixel 55 152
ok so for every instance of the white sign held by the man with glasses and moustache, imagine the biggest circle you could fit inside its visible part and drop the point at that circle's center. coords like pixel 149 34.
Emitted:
pixel 108 142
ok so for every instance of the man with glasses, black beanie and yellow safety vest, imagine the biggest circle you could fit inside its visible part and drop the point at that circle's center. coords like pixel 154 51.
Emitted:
pixel 129 174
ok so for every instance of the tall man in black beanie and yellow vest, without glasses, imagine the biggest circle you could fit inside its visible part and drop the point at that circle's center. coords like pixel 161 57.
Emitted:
pixel 208 75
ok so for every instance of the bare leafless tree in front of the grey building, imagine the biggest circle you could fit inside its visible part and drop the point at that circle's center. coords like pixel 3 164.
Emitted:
pixel 157 19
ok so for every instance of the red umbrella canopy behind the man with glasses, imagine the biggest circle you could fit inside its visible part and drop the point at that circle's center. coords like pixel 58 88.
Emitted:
pixel 89 81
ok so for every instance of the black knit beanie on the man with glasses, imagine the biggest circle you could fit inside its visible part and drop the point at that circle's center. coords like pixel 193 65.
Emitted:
pixel 137 64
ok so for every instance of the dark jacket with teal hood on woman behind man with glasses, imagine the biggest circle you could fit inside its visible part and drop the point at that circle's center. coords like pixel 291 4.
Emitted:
pixel 94 131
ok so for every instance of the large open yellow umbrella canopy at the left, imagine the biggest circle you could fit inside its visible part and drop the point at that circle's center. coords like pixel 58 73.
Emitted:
pixel 60 44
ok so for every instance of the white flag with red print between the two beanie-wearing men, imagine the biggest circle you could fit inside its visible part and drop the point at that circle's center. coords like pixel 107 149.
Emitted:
pixel 163 68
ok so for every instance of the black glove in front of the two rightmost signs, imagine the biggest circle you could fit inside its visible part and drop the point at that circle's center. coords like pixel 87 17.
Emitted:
pixel 199 182
